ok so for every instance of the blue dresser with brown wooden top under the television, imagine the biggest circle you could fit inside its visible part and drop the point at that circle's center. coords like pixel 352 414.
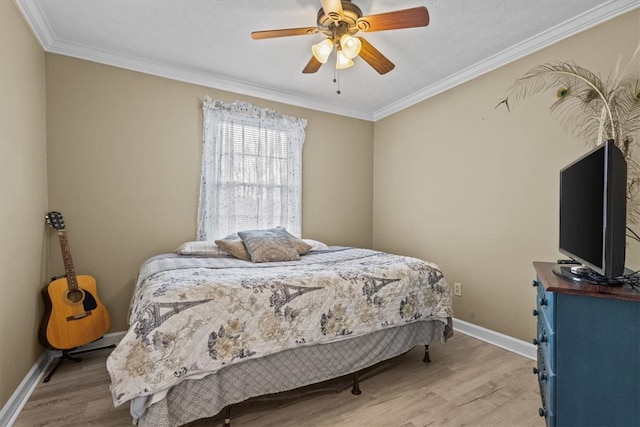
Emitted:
pixel 588 340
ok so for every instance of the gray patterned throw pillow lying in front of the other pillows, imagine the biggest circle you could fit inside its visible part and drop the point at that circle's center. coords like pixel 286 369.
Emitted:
pixel 270 245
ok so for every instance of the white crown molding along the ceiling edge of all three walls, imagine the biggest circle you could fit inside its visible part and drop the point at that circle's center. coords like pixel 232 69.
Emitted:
pixel 37 22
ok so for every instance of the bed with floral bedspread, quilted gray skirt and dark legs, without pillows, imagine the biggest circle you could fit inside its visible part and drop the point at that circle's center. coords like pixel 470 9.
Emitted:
pixel 206 332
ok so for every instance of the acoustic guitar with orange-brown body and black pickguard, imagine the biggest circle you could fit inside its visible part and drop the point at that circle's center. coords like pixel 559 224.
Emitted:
pixel 74 315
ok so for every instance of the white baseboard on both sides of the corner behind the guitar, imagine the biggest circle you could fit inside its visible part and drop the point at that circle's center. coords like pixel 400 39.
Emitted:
pixel 19 398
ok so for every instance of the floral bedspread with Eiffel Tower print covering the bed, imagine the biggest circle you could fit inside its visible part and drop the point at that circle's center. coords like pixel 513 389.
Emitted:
pixel 192 316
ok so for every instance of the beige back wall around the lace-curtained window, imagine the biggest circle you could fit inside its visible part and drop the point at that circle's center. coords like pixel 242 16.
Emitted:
pixel 124 167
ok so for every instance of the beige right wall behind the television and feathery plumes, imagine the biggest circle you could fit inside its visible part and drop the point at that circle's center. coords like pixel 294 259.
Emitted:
pixel 475 189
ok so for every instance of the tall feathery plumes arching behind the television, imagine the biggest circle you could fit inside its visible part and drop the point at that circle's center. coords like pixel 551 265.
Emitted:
pixel 592 109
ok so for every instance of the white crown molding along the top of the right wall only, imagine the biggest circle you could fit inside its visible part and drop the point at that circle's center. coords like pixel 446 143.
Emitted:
pixel 582 22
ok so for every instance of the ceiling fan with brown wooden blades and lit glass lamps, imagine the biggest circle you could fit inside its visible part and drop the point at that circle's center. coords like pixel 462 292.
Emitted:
pixel 339 20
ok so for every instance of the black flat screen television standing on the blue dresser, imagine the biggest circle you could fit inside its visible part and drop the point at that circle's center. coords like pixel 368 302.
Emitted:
pixel 593 210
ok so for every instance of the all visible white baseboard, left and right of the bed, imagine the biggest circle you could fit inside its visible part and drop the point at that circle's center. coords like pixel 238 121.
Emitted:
pixel 16 402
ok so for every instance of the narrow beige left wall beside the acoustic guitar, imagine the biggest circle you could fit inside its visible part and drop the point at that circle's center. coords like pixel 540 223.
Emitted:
pixel 23 197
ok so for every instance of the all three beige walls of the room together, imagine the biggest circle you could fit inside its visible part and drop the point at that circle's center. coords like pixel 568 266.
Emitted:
pixel 453 180
